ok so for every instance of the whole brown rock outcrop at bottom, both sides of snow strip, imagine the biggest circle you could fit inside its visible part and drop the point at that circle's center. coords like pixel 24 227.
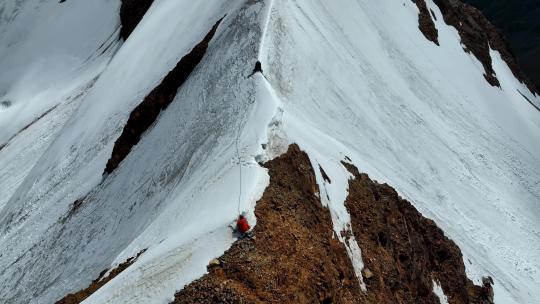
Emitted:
pixel 295 257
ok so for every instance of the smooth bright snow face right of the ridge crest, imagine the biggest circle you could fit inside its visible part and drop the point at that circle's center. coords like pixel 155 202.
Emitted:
pixel 359 79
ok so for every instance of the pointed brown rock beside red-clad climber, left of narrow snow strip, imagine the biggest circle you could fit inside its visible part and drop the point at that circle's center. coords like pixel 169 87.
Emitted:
pixel 295 257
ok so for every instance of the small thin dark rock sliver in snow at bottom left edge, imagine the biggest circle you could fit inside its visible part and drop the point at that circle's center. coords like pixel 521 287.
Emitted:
pixel 81 295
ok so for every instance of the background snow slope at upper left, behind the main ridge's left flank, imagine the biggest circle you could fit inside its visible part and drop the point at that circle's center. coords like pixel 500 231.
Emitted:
pixel 50 55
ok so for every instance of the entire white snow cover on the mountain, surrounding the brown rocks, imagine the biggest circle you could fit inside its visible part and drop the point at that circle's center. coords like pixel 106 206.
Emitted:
pixel 350 78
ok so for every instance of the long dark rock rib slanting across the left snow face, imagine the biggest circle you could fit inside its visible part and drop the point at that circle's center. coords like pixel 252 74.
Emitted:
pixel 142 117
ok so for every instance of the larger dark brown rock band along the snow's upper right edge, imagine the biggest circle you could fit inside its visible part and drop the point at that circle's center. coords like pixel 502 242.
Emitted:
pixel 478 35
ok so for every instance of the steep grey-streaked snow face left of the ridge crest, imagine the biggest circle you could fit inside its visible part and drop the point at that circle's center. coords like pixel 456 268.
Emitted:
pixel 177 199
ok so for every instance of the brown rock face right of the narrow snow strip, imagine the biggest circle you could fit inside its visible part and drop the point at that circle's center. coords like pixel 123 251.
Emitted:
pixel 405 251
